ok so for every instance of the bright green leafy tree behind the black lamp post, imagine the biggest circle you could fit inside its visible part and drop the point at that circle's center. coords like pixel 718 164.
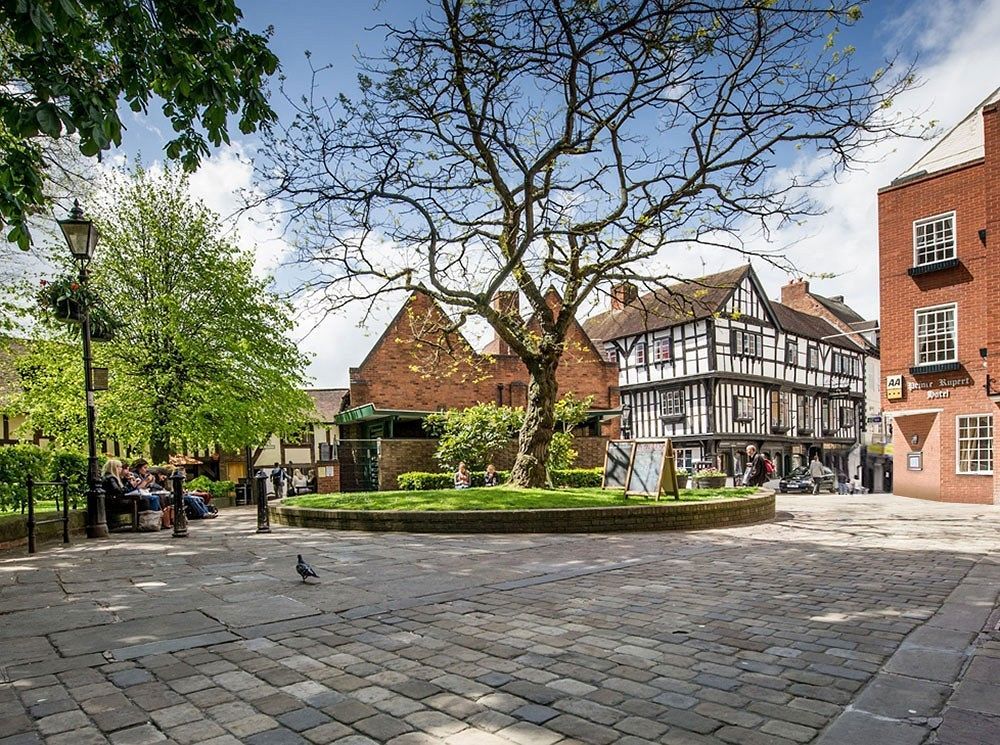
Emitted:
pixel 201 354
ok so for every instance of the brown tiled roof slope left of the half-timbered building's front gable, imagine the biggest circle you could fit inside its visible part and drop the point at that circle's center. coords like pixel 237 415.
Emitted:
pixel 670 306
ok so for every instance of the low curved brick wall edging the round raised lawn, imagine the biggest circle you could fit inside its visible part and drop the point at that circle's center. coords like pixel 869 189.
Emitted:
pixel 664 515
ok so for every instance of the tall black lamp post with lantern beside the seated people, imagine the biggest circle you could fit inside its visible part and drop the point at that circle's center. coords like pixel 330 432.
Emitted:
pixel 81 237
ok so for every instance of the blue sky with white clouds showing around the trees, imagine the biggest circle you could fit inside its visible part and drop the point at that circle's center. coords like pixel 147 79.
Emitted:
pixel 953 41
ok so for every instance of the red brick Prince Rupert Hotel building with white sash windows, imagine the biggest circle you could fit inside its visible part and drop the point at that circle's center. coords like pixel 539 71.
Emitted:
pixel 939 235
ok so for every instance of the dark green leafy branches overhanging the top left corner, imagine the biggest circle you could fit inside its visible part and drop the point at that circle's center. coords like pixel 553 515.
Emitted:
pixel 66 65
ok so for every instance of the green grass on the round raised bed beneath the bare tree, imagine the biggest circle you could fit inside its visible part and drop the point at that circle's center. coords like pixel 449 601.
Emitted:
pixel 496 498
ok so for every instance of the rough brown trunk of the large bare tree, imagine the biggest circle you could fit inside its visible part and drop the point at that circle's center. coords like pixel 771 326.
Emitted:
pixel 530 466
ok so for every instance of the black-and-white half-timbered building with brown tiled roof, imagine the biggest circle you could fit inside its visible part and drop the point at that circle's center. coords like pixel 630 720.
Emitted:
pixel 716 366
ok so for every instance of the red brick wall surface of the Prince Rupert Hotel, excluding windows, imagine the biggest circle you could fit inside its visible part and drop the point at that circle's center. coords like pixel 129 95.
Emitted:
pixel 970 190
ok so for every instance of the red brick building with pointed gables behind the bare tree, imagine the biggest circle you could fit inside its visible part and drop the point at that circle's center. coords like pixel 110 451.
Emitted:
pixel 421 364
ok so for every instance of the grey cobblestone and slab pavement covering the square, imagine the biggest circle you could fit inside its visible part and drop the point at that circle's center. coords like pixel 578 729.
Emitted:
pixel 847 620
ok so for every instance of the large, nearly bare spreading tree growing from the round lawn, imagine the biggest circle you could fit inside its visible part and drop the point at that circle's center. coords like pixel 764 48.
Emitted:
pixel 501 144
